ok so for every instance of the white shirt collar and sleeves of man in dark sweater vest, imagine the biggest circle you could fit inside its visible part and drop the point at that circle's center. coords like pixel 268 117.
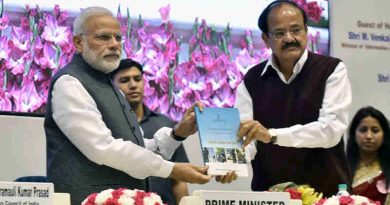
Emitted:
pixel 333 117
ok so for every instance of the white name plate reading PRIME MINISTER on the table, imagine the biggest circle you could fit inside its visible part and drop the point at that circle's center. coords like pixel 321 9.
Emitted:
pixel 213 197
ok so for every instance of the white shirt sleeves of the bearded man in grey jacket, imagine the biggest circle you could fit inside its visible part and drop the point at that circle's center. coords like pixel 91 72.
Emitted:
pixel 76 114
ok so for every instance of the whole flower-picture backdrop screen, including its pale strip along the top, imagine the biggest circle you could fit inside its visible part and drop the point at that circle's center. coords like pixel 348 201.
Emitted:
pixel 190 52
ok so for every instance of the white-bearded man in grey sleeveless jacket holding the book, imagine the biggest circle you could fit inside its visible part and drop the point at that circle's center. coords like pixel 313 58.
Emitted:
pixel 93 138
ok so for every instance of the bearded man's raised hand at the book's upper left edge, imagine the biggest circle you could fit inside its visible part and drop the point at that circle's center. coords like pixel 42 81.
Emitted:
pixel 187 125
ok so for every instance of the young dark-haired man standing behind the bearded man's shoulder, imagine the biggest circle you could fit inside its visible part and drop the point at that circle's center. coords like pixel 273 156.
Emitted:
pixel 128 78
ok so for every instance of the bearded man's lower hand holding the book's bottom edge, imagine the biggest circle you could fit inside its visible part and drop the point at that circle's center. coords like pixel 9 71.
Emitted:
pixel 190 173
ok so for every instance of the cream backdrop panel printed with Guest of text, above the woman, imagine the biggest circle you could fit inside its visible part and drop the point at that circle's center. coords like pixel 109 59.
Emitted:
pixel 360 36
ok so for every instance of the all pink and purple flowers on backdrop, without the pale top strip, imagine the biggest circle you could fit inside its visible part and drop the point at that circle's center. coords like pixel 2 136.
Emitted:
pixel 207 65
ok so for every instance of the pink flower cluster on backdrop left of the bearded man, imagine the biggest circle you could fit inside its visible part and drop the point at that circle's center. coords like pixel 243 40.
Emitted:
pixel 29 52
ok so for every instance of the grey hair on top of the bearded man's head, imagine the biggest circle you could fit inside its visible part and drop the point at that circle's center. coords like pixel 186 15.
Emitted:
pixel 78 24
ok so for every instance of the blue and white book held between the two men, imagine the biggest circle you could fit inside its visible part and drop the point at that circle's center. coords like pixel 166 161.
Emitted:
pixel 221 149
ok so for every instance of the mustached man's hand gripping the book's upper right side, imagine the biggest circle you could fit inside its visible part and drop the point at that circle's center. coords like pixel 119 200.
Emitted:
pixel 253 130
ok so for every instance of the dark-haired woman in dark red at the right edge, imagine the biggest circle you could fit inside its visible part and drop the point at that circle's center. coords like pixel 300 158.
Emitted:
pixel 368 153
